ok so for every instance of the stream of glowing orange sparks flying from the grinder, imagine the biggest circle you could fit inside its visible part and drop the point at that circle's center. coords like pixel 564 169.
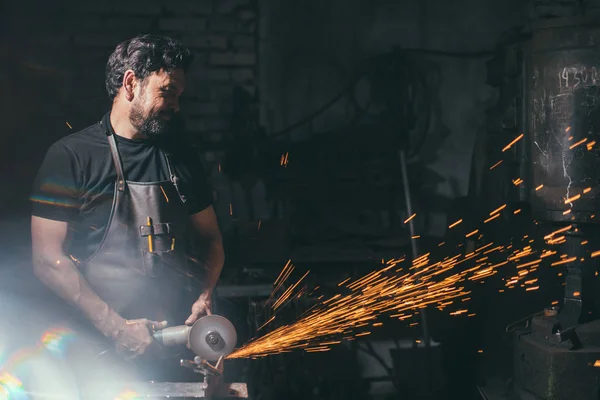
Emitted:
pixel 400 292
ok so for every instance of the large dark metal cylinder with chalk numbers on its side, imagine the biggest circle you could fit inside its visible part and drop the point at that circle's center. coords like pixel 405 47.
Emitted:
pixel 564 120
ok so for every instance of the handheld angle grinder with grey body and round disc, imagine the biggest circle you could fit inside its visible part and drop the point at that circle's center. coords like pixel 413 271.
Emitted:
pixel 210 338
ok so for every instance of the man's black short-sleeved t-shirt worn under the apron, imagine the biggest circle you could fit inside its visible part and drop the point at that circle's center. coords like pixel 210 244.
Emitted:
pixel 77 178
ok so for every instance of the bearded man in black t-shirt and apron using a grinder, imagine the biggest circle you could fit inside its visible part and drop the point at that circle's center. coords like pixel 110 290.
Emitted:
pixel 117 205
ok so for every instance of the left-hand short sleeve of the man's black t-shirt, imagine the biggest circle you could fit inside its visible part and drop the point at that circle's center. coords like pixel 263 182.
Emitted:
pixel 55 193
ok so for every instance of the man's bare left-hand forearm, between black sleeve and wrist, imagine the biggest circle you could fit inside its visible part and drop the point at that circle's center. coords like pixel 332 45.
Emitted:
pixel 63 277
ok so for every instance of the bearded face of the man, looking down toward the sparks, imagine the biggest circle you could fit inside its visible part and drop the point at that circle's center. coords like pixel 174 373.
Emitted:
pixel 156 103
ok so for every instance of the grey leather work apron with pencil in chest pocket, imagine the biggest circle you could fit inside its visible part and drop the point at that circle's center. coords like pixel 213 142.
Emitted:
pixel 139 267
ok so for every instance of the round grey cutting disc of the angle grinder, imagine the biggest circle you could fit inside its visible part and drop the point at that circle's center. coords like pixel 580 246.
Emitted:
pixel 212 336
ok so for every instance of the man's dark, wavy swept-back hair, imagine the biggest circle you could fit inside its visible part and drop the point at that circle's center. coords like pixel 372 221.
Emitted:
pixel 145 54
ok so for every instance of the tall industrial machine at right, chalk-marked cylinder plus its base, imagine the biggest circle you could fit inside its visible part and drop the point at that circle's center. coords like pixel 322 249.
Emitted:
pixel 550 92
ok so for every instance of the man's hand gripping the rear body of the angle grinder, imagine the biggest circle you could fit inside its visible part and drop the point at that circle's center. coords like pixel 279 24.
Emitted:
pixel 135 336
